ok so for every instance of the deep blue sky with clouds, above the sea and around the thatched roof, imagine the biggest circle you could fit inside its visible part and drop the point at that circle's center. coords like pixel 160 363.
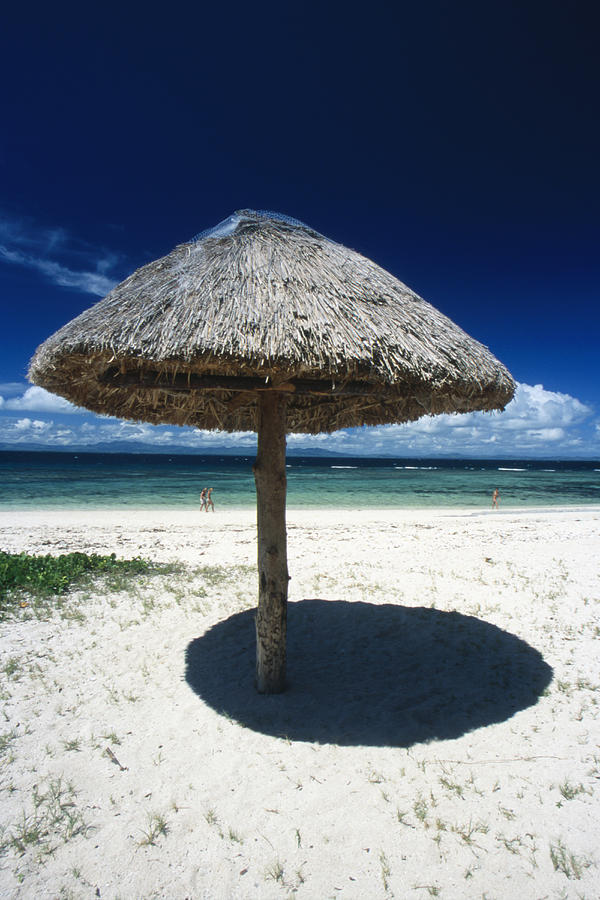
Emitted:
pixel 456 144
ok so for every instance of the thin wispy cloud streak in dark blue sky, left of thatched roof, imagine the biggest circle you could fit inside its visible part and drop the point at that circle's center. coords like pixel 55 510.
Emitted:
pixel 57 256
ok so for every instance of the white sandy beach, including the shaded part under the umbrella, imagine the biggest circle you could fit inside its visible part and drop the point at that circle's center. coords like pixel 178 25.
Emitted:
pixel 440 735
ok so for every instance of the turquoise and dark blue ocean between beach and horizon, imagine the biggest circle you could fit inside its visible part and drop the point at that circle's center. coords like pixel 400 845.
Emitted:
pixel 50 480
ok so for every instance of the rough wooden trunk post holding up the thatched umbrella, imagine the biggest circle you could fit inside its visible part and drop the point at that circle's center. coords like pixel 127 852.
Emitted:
pixel 270 479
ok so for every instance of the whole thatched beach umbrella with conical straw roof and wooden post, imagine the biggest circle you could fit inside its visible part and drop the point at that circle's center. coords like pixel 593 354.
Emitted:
pixel 263 324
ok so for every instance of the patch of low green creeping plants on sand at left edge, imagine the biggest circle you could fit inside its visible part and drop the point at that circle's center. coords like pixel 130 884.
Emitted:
pixel 45 577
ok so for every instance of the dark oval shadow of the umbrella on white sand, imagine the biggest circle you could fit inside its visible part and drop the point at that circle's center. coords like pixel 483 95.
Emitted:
pixel 369 674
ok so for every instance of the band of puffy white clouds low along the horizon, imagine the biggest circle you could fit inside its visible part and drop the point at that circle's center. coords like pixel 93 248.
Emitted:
pixel 537 423
